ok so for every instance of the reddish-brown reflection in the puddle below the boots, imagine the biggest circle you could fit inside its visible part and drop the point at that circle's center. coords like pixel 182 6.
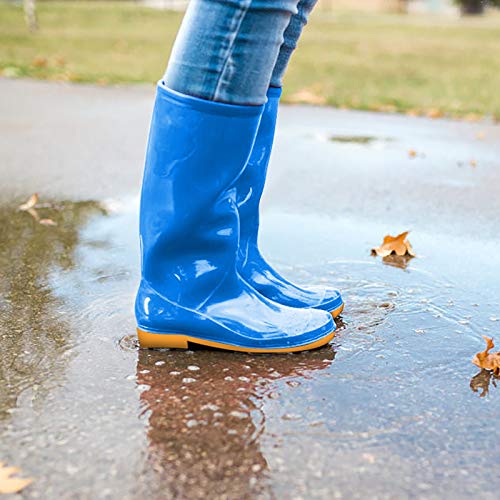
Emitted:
pixel 205 418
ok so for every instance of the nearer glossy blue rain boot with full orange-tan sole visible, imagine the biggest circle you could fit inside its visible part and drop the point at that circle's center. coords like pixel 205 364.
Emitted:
pixel 190 291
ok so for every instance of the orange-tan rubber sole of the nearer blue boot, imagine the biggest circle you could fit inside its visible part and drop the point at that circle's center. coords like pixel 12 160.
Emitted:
pixel 180 341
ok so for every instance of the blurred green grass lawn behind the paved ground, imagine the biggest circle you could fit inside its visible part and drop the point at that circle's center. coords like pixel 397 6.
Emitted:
pixel 418 65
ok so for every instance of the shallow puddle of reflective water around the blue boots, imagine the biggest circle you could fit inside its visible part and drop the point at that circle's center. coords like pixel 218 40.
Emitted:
pixel 391 408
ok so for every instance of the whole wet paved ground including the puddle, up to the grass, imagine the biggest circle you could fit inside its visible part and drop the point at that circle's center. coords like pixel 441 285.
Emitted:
pixel 393 408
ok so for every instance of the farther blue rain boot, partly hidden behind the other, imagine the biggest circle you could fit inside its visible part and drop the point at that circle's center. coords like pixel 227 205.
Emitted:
pixel 251 264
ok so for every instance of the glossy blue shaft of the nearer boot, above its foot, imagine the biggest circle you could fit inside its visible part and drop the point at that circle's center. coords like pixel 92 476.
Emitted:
pixel 189 223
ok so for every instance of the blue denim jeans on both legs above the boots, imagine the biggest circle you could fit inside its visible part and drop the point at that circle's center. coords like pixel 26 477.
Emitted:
pixel 231 51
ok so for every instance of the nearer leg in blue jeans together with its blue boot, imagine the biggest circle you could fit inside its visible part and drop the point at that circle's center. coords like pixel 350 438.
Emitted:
pixel 206 116
